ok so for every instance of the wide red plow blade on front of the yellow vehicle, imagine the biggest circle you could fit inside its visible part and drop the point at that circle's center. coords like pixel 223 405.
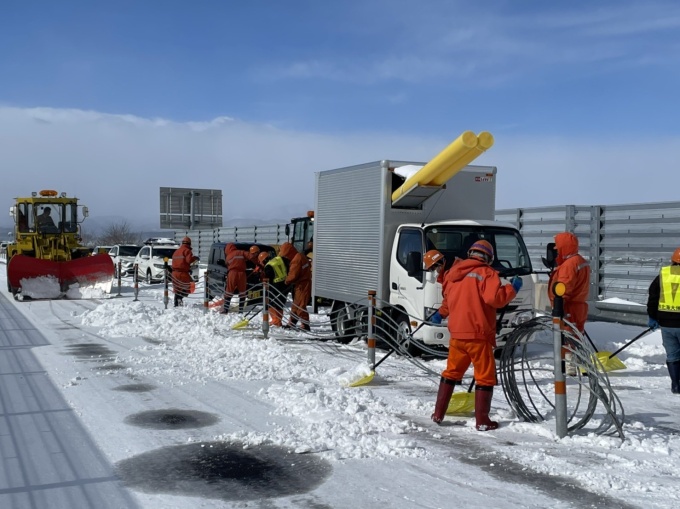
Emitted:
pixel 89 271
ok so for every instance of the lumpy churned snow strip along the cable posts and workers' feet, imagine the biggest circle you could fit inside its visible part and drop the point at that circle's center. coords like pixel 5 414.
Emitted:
pixel 313 410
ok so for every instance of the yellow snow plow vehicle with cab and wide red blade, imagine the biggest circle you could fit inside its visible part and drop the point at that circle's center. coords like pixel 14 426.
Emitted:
pixel 47 244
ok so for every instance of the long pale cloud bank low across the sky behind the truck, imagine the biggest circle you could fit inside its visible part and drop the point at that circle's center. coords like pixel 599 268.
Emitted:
pixel 117 163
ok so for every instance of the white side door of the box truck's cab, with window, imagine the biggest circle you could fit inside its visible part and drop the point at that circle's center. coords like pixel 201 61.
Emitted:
pixel 405 290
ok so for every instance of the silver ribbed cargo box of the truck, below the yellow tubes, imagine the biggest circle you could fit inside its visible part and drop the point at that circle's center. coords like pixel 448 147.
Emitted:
pixel 356 221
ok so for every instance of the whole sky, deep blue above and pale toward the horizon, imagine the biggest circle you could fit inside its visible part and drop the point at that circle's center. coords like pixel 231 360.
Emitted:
pixel 329 76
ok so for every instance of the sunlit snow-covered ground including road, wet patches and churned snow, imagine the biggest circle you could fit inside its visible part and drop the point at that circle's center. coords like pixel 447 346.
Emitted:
pixel 154 386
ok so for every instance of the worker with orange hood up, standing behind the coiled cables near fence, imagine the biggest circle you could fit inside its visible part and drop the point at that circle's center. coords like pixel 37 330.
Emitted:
pixel 574 271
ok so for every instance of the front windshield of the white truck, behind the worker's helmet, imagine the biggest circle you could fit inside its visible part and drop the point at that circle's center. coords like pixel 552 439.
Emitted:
pixel 512 258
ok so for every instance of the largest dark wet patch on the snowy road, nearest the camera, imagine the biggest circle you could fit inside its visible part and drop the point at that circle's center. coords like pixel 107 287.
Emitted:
pixel 224 471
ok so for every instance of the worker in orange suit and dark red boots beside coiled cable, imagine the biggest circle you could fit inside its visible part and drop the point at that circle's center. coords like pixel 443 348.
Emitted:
pixel 474 292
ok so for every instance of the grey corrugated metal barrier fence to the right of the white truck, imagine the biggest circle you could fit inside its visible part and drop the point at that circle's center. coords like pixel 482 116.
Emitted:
pixel 625 244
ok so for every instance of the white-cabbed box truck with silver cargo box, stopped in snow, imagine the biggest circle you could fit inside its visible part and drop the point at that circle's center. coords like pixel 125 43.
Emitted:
pixel 365 240
